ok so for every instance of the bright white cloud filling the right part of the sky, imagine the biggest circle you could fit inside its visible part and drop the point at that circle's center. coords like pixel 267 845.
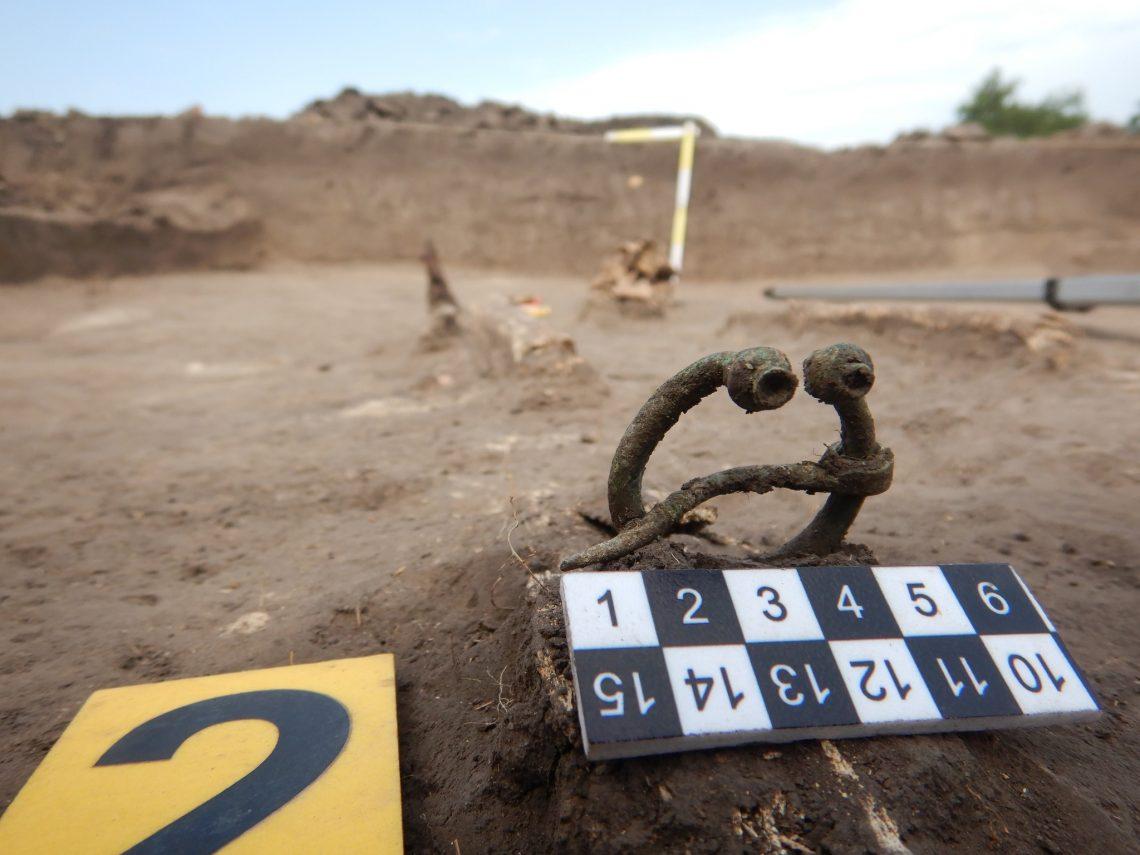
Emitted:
pixel 865 70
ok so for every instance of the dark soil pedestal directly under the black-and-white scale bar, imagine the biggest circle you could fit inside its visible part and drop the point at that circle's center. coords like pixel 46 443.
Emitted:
pixel 933 793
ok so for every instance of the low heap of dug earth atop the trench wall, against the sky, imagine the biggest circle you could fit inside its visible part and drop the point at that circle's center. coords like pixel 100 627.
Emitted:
pixel 352 105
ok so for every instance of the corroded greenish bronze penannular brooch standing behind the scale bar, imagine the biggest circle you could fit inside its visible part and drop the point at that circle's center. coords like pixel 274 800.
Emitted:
pixel 758 379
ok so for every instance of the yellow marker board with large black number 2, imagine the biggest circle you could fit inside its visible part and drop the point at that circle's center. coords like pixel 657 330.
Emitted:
pixel 302 759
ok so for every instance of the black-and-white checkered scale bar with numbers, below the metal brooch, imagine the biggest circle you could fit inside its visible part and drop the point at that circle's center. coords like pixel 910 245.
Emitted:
pixel 672 661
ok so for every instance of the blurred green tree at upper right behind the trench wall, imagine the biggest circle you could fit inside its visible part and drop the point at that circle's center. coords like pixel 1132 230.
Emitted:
pixel 995 107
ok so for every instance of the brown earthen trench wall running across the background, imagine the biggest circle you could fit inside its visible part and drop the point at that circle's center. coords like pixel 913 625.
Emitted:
pixel 349 182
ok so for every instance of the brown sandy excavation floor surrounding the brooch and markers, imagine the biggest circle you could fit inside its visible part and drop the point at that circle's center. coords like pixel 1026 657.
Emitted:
pixel 213 473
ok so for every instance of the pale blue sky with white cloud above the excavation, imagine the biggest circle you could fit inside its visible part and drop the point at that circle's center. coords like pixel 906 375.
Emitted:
pixel 828 74
